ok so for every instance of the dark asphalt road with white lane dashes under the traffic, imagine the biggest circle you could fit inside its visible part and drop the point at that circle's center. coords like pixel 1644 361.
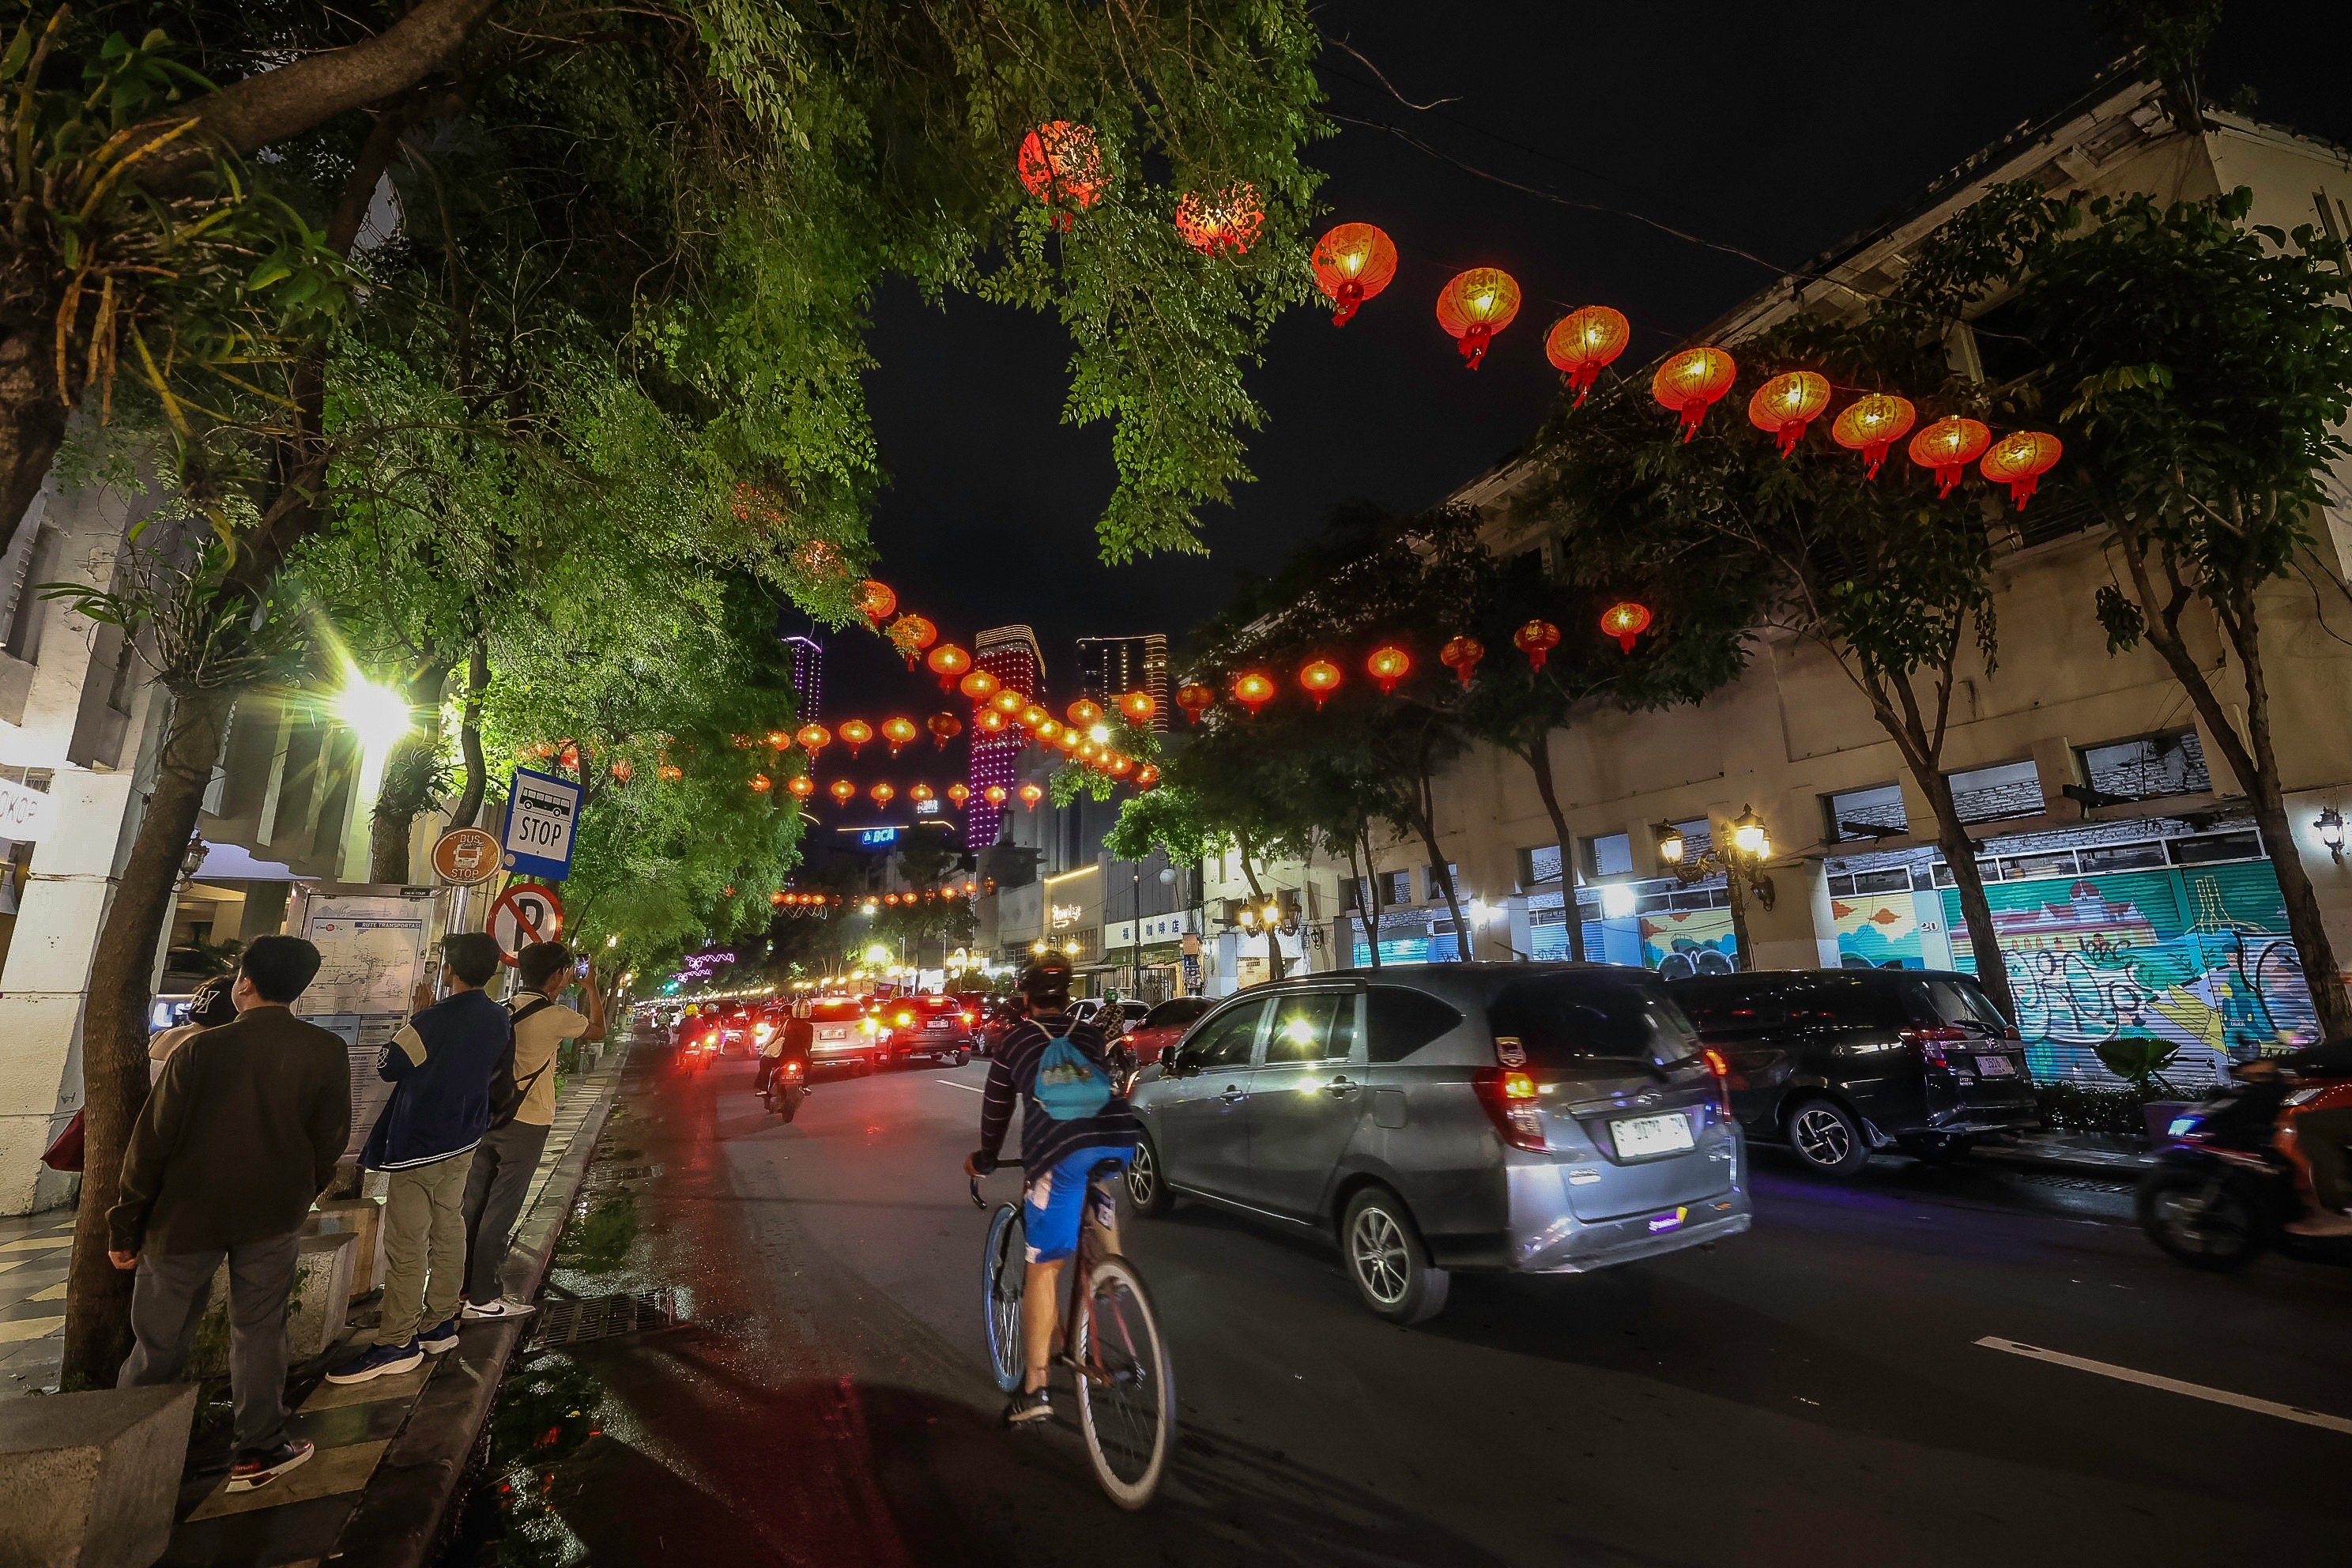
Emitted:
pixel 1812 1393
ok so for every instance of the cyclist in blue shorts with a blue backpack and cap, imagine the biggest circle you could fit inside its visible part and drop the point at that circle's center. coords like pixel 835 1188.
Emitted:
pixel 1071 1125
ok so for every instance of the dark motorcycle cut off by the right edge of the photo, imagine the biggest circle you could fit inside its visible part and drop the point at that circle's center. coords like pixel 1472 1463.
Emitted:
pixel 2233 1179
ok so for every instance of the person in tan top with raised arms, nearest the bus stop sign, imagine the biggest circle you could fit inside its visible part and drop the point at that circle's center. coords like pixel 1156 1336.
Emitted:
pixel 521 1118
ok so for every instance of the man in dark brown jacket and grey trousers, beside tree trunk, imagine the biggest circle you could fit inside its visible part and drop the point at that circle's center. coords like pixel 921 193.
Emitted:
pixel 229 1153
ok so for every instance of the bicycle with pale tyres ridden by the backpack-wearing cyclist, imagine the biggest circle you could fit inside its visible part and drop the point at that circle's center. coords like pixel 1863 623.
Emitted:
pixel 1109 1341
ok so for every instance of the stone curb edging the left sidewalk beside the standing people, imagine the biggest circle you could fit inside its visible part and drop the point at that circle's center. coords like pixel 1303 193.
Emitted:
pixel 406 1513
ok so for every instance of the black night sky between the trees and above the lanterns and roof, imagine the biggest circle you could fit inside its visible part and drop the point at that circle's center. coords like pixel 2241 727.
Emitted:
pixel 1768 130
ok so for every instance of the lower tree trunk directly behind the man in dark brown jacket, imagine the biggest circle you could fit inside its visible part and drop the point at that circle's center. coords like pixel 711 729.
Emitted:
pixel 116 1036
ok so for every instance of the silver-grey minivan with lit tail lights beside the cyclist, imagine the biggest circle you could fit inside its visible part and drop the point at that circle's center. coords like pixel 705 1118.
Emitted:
pixel 1443 1118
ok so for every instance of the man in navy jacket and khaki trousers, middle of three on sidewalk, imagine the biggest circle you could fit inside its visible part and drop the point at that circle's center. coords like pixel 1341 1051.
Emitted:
pixel 439 1066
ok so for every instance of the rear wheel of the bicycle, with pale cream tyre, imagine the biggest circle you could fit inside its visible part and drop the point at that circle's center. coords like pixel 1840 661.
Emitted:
pixel 1125 1383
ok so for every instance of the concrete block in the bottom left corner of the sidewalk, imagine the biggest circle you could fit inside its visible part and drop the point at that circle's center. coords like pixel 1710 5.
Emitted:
pixel 91 1480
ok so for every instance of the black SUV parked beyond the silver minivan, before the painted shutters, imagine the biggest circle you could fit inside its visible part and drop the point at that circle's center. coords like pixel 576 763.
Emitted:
pixel 1847 1061
